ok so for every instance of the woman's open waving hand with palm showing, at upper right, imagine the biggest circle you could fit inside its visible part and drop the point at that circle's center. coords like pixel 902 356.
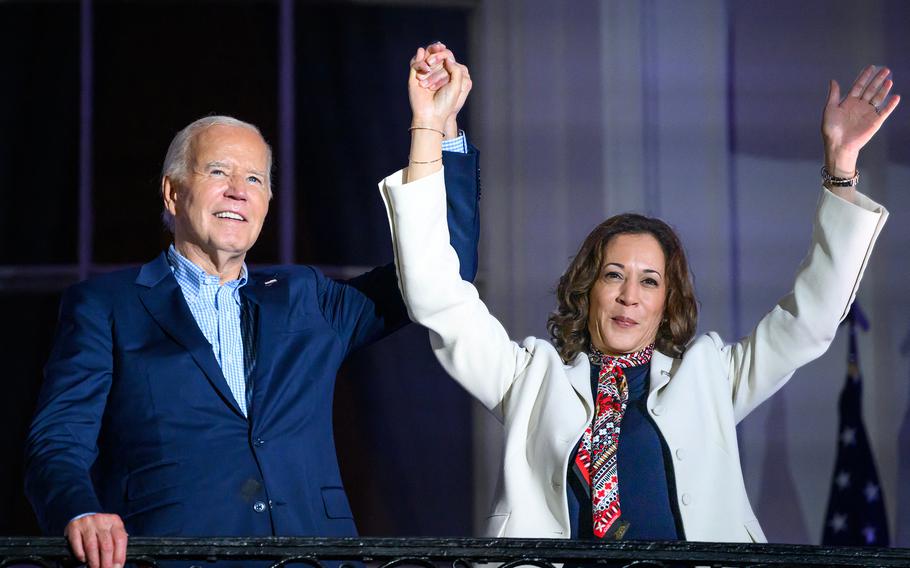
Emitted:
pixel 848 124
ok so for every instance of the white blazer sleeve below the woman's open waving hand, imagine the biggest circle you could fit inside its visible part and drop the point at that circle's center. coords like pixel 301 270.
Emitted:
pixel 804 322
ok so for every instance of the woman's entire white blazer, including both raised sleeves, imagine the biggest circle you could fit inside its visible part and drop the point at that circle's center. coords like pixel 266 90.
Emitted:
pixel 695 401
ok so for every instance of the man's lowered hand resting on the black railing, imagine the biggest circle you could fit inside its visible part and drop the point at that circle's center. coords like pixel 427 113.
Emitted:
pixel 98 539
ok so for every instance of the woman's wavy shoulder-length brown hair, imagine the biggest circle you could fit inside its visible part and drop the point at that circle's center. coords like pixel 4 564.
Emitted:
pixel 568 324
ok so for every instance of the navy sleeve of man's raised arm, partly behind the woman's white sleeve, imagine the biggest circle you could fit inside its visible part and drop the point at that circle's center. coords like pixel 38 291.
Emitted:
pixel 369 307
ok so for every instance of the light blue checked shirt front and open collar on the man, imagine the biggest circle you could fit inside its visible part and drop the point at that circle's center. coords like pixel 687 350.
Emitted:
pixel 217 310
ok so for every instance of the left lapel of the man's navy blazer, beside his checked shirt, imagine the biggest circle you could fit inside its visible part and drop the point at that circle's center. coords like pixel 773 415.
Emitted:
pixel 162 297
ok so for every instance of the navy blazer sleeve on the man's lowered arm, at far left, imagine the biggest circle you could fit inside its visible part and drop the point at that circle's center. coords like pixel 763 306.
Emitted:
pixel 62 441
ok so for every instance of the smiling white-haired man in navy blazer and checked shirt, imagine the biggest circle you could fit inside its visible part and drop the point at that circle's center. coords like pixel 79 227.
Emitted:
pixel 192 396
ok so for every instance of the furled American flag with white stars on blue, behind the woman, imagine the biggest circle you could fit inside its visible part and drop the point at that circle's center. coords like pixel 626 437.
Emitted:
pixel 856 505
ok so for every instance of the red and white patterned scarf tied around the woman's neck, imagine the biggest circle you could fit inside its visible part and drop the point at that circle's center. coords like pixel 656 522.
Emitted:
pixel 596 457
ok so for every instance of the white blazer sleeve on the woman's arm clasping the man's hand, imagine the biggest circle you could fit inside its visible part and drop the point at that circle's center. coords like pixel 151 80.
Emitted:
pixel 471 344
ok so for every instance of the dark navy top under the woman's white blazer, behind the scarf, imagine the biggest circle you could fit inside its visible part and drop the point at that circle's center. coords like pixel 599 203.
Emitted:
pixel 647 493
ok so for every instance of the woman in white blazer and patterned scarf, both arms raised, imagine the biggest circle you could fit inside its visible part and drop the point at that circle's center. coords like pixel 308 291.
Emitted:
pixel 623 425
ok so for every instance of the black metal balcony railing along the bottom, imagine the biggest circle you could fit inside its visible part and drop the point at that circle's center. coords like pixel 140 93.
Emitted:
pixel 456 553
